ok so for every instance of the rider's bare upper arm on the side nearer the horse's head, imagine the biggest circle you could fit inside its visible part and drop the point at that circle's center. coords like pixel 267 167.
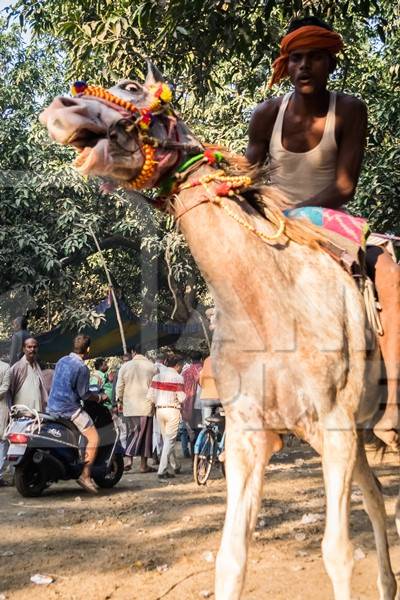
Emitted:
pixel 260 130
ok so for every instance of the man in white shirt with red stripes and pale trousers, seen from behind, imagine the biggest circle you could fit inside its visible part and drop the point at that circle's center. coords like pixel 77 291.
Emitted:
pixel 166 393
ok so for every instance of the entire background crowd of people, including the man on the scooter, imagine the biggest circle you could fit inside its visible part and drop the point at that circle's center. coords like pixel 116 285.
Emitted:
pixel 154 398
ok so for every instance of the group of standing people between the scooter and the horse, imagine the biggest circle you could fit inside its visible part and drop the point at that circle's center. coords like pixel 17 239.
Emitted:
pixel 155 398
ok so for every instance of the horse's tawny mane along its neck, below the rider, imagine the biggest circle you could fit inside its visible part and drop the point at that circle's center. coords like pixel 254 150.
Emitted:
pixel 268 202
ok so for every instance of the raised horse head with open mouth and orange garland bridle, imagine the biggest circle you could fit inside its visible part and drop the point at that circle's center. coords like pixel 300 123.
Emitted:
pixel 128 133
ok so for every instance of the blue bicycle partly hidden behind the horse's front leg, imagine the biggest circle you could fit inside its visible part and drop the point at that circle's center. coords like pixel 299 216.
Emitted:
pixel 209 445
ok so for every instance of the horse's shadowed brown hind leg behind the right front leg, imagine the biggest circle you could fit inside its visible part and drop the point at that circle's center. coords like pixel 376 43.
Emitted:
pixel 375 507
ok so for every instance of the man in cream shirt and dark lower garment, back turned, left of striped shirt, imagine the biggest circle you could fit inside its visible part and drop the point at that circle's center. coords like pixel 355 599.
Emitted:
pixel 134 380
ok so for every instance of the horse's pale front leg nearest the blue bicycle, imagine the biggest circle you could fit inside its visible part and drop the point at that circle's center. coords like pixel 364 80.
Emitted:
pixel 247 453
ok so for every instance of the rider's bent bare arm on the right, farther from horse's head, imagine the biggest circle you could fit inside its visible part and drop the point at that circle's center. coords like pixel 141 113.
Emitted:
pixel 353 116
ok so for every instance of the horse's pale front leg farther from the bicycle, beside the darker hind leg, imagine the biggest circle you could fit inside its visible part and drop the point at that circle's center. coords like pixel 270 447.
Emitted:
pixel 338 459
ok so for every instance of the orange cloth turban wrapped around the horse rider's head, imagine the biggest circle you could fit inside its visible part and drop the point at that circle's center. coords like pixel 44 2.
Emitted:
pixel 309 36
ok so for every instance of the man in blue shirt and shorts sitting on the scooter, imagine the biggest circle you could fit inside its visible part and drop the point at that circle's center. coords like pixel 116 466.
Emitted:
pixel 69 389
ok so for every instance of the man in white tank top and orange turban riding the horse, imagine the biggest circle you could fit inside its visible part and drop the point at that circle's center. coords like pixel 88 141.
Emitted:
pixel 315 142
